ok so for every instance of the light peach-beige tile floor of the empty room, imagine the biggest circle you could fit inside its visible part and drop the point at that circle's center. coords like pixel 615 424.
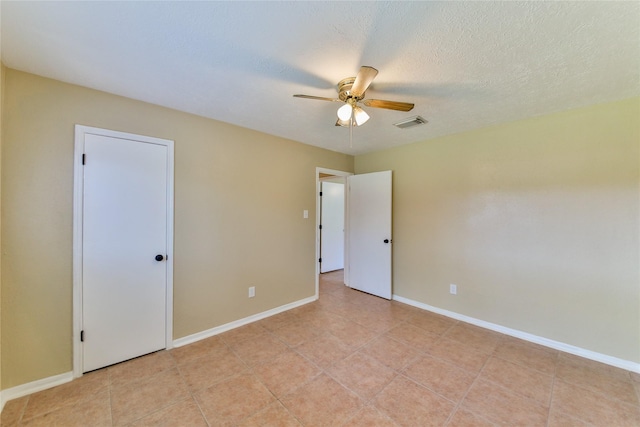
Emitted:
pixel 348 359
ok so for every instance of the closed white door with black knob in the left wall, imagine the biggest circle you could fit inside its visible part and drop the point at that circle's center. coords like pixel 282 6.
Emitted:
pixel 125 212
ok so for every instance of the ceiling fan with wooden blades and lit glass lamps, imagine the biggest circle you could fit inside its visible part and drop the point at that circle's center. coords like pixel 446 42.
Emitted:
pixel 351 92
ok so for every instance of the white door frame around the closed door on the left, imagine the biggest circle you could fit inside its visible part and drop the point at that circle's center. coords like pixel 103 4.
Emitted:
pixel 78 201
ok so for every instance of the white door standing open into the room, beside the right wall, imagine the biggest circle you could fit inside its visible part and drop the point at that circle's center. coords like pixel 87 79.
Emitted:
pixel 369 207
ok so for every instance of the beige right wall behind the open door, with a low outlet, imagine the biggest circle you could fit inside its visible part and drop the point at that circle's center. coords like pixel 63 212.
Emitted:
pixel 536 221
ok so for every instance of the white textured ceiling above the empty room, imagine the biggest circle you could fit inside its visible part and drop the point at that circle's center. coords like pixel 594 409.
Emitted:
pixel 465 65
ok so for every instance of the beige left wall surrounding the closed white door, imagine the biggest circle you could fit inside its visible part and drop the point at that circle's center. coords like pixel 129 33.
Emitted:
pixel 233 227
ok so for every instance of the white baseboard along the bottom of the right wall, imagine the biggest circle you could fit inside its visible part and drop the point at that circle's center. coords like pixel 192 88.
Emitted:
pixel 557 345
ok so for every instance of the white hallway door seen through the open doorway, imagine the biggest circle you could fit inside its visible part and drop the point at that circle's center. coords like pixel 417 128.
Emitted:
pixel 332 226
